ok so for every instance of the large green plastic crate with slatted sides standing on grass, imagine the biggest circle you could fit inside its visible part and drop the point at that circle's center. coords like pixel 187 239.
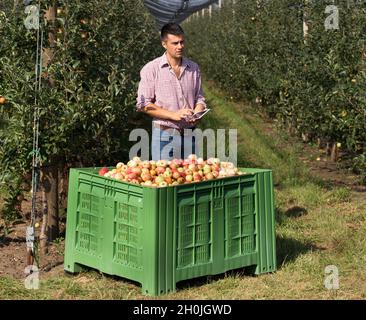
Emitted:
pixel 160 236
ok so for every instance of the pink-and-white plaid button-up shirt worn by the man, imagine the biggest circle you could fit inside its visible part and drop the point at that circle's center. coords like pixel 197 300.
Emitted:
pixel 160 85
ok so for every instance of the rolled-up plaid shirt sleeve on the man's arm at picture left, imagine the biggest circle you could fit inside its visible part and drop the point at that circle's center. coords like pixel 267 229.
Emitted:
pixel 146 89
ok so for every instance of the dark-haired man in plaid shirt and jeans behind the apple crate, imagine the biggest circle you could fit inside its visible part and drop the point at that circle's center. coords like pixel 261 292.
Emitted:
pixel 170 91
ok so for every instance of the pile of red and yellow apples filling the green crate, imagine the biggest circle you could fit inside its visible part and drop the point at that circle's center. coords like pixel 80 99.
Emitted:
pixel 164 173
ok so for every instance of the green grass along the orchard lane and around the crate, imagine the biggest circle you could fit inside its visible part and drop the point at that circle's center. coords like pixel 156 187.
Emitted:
pixel 315 227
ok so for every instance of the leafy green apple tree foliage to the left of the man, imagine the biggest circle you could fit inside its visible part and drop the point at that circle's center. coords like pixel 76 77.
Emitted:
pixel 87 113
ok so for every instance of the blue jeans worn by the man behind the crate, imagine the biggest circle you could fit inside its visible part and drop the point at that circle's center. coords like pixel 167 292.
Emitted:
pixel 170 144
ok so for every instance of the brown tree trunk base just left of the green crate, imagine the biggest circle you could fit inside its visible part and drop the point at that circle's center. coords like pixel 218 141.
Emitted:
pixel 50 186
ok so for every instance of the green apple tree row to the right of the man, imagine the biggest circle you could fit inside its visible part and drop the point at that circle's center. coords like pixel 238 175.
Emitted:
pixel 256 50
